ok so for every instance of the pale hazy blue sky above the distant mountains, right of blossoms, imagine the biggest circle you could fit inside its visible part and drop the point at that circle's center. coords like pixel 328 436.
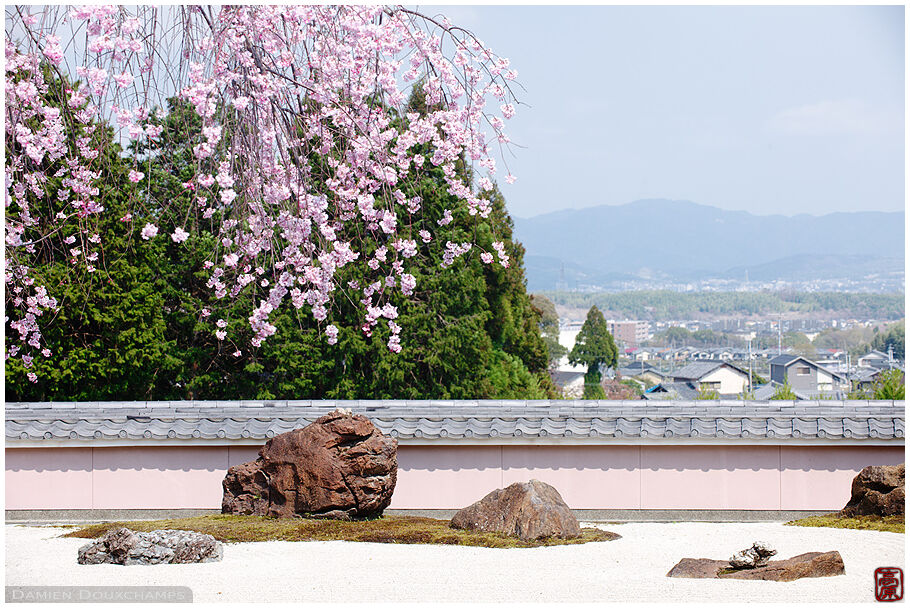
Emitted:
pixel 765 109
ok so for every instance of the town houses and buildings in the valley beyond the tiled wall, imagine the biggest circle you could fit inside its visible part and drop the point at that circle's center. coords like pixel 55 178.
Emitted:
pixel 740 358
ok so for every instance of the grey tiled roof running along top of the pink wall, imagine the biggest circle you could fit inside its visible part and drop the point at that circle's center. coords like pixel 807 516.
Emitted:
pixel 447 420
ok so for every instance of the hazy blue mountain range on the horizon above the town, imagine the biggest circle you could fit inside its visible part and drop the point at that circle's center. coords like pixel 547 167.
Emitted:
pixel 660 239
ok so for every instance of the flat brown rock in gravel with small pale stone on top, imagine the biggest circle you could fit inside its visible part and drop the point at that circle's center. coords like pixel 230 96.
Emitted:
pixel 806 565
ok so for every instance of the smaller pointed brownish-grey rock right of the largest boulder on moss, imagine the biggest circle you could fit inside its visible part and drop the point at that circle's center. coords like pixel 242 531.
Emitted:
pixel 529 510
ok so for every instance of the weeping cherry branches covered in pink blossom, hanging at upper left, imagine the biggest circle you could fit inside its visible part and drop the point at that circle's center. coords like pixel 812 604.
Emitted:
pixel 293 93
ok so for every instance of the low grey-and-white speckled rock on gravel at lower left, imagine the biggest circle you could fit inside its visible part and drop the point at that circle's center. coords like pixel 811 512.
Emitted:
pixel 126 547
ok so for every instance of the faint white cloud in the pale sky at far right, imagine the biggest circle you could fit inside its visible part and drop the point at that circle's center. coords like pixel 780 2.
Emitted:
pixel 841 117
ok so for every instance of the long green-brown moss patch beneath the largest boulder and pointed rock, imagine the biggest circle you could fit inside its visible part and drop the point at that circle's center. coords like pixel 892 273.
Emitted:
pixel 390 529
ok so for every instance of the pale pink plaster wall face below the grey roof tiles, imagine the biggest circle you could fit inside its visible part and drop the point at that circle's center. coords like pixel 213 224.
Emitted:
pixel 447 477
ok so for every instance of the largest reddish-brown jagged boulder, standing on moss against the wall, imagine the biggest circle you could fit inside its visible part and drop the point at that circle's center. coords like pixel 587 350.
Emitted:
pixel 338 467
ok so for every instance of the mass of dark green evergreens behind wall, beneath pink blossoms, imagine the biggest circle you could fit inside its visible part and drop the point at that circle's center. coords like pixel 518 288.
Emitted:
pixel 140 330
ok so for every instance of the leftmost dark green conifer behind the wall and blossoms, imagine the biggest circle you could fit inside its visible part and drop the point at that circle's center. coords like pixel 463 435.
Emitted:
pixel 109 337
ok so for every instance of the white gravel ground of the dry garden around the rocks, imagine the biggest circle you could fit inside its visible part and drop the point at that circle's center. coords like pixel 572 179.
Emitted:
pixel 630 569
